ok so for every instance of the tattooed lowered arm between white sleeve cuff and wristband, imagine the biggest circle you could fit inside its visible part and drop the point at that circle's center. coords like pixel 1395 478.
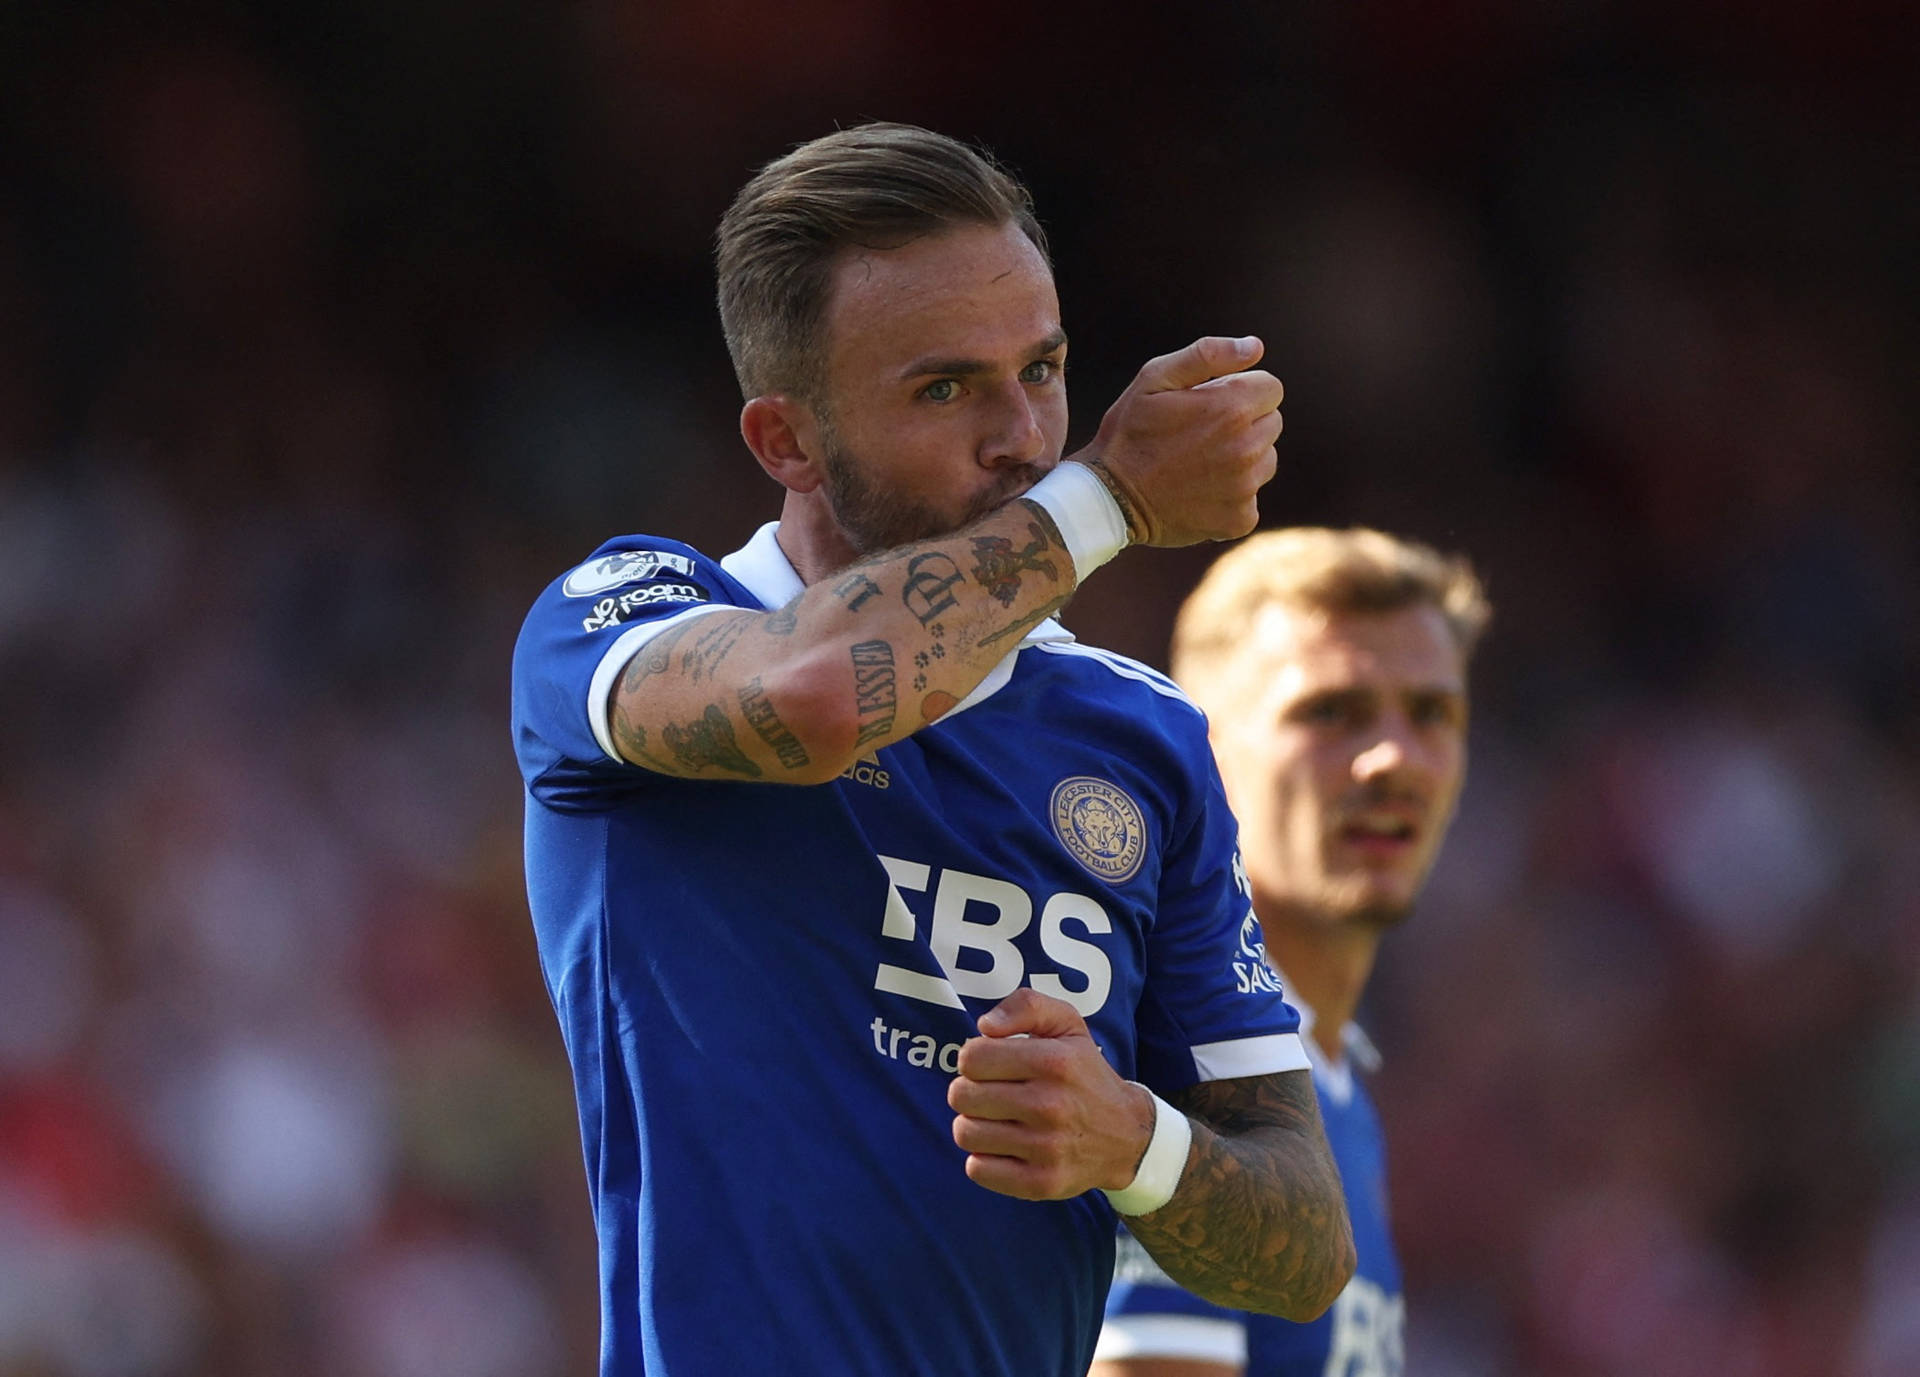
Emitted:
pixel 1260 1219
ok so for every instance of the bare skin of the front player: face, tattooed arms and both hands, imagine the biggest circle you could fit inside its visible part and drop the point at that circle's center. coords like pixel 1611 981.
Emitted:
pixel 944 404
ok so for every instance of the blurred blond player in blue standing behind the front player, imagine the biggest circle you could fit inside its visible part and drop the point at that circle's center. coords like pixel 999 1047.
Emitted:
pixel 1333 671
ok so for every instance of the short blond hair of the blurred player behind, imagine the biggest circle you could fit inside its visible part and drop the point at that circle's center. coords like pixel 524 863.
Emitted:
pixel 1328 571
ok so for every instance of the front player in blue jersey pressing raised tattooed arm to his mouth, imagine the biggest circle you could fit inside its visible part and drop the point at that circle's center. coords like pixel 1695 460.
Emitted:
pixel 896 936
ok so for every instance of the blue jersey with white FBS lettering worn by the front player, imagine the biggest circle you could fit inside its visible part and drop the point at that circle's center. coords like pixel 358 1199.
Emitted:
pixel 765 988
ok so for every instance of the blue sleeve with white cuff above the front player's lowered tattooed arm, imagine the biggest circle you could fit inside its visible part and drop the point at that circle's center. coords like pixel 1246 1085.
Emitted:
pixel 1212 1005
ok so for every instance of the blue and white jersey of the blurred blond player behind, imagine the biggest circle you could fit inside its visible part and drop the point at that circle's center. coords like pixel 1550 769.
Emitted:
pixel 1362 1336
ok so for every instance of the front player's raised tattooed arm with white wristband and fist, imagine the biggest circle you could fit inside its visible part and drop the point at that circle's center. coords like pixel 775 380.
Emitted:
pixel 886 646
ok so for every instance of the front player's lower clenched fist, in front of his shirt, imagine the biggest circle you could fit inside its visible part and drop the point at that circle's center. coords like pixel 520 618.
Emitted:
pixel 1038 1107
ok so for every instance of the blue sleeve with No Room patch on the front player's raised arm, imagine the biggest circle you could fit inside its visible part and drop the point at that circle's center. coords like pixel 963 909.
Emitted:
pixel 581 635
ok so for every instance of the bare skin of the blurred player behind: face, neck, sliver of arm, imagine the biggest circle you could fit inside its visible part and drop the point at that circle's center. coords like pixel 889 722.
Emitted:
pixel 1332 729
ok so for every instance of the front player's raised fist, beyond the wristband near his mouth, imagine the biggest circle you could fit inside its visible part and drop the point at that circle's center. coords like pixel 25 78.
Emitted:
pixel 1189 445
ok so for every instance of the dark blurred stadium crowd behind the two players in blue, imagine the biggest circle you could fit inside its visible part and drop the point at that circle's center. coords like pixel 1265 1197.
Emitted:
pixel 331 331
